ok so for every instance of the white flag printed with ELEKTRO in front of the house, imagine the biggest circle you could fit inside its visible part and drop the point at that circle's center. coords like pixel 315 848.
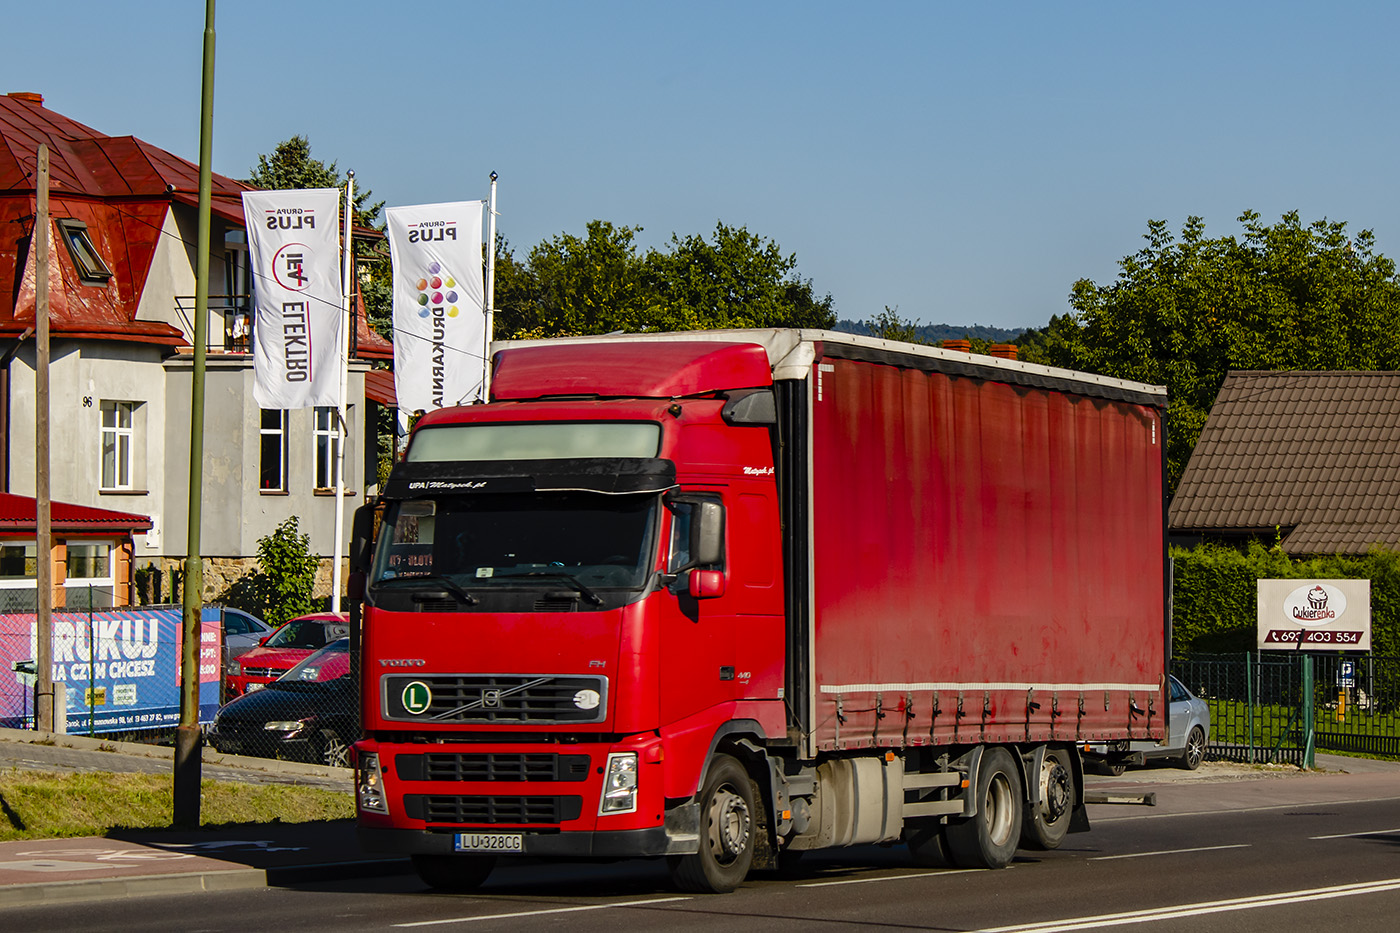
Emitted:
pixel 295 249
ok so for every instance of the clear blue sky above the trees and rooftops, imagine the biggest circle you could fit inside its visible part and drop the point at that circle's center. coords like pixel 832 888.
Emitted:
pixel 962 162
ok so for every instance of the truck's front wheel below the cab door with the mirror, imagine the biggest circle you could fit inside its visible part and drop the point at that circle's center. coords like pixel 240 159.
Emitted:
pixel 727 830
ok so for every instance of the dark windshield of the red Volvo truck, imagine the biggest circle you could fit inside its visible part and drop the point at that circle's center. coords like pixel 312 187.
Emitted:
pixel 482 541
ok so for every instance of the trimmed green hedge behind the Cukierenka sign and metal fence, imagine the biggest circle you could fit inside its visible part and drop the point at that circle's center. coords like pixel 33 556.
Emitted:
pixel 1216 595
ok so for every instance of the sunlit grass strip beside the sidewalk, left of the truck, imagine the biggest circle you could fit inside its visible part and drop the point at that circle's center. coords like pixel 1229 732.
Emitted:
pixel 48 806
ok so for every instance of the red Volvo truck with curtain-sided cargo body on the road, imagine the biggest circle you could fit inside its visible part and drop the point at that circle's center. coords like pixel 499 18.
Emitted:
pixel 726 597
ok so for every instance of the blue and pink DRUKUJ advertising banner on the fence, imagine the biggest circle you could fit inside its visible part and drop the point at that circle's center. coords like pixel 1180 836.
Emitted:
pixel 121 668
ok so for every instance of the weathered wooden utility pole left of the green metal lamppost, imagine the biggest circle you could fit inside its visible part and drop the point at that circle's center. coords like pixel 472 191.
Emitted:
pixel 44 712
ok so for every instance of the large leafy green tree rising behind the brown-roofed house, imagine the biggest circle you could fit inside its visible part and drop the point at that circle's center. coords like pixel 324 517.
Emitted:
pixel 1184 313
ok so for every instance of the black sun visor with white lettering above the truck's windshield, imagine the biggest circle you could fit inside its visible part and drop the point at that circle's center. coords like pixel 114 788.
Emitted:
pixel 601 476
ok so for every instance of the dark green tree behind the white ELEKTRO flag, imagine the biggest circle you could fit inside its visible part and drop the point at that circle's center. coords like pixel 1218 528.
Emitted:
pixel 292 166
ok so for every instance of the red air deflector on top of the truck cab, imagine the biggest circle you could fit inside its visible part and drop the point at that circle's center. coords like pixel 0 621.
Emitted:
pixel 628 371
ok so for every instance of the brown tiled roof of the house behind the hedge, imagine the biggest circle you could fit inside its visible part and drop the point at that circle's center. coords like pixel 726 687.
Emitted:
pixel 1314 455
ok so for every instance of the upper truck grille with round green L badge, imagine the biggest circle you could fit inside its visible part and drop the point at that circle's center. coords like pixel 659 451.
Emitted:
pixel 495 698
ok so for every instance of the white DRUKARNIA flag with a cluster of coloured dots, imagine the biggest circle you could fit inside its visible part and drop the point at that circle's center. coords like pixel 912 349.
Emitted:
pixel 439 305
